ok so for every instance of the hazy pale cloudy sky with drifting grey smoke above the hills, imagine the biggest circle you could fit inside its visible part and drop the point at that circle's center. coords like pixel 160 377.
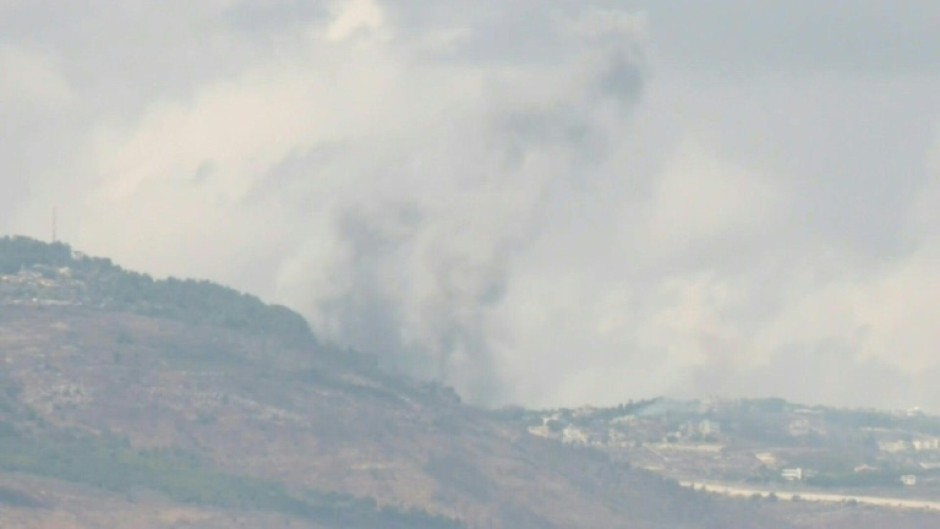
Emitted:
pixel 539 202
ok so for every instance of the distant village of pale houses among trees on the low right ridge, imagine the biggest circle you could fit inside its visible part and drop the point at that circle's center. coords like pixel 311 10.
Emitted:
pixel 767 442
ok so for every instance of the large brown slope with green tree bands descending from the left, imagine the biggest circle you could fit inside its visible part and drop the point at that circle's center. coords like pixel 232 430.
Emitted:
pixel 132 402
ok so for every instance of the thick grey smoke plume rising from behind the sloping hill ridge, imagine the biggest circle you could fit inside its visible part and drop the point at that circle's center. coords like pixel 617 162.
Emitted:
pixel 417 244
